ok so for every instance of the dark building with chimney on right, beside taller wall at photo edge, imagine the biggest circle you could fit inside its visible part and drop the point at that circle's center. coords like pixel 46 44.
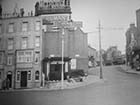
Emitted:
pixel 132 44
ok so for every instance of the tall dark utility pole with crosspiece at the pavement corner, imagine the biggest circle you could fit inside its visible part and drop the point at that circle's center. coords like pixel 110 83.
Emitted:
pixel 100 51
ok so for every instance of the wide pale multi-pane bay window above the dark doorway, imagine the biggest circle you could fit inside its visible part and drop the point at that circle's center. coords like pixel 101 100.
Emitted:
pixel 24 56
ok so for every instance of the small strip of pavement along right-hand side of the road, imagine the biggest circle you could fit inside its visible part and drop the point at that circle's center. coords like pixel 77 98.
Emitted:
pixel 128 69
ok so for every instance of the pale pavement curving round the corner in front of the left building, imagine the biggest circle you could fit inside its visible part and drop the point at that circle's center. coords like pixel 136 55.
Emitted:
pixel 56 85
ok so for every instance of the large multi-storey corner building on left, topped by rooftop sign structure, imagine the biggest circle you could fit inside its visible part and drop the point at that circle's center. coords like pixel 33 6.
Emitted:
pixel 31 46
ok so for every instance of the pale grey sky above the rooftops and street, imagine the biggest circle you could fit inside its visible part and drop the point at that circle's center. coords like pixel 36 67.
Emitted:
pixel 114 15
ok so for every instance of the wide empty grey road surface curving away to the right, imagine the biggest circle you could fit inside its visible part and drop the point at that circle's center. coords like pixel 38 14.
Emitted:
pixel 119 88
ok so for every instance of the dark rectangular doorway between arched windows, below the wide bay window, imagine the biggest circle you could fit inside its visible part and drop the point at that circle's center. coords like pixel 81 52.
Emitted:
pixel 23 82
